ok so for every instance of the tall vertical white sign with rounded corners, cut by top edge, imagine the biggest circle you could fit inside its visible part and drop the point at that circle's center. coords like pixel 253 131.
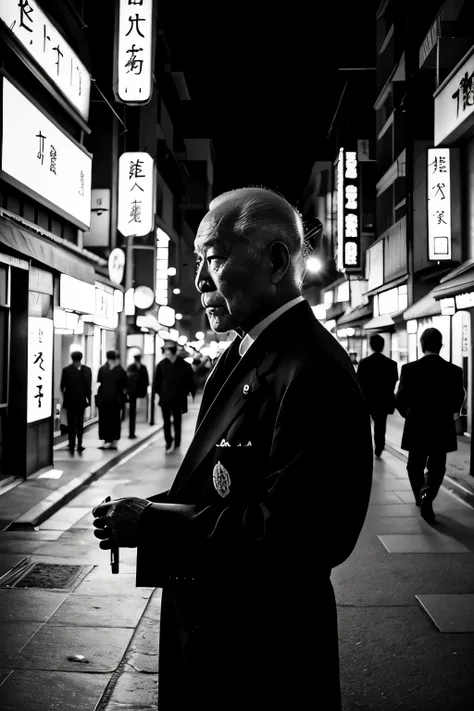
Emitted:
pixel 135 51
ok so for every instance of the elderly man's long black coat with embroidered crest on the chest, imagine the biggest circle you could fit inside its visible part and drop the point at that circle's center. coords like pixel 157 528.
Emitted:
pixel 248 612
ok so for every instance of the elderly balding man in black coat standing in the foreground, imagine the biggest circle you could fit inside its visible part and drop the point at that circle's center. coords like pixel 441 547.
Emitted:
pixel 263 505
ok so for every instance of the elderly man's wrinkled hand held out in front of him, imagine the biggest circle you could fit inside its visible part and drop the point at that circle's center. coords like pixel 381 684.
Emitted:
pixel 117 522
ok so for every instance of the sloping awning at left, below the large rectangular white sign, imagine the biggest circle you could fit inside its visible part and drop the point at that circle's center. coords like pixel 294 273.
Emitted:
pixel 34 247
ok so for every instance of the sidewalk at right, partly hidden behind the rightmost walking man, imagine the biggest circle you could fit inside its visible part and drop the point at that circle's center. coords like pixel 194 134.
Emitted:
pixel 457 479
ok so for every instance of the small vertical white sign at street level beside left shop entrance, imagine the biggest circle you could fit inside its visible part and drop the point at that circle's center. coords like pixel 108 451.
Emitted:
pixel 40 369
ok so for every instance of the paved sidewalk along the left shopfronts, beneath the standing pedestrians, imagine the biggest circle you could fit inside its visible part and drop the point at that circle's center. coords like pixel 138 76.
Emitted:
pixel 26 503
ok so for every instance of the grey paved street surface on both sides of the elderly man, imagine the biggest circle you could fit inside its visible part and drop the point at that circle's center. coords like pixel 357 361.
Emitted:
pixel 405 603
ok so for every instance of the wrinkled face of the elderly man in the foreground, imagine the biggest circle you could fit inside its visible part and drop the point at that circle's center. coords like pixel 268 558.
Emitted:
pixel 235 287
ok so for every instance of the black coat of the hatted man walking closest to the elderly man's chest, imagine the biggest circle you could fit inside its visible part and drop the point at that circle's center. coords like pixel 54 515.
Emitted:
pixel 174 382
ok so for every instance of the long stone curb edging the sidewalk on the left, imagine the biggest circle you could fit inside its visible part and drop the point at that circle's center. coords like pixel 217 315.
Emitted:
pixel 62 496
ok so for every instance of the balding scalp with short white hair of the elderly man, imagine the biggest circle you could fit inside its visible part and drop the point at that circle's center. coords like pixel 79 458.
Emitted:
pixel 261 217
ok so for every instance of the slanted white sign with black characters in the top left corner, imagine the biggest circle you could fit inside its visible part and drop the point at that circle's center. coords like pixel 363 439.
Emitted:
pixel 48 47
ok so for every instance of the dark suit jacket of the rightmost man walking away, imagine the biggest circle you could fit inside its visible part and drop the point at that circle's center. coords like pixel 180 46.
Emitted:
pixel 431 391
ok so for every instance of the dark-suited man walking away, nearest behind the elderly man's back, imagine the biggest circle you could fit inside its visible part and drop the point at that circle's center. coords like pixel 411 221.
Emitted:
pixel 378 376
